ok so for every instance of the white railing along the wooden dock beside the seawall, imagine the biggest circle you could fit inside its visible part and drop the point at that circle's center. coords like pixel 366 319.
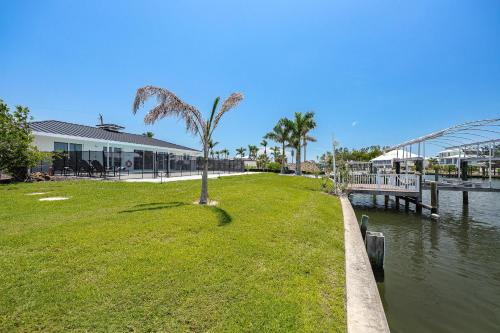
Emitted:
pixel 383 181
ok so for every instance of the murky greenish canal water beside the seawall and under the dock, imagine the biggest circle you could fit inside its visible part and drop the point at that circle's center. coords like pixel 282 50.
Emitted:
pixel 440 276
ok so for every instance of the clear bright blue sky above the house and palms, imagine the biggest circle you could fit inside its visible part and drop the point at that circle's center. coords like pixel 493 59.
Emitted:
pixel 375 72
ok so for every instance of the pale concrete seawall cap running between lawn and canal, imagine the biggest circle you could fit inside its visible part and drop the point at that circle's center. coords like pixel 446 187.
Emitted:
pixel 365 312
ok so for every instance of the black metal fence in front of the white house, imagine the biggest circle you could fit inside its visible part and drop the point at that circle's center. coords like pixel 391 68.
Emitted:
pixel 137 164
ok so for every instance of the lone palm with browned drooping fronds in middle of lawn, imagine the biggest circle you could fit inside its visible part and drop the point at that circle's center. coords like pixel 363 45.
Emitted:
pixel 170 105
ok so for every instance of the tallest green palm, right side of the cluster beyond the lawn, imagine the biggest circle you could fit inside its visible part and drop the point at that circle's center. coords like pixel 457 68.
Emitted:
pixel 299 127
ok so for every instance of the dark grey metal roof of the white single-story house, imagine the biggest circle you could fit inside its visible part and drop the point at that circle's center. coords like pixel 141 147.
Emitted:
pixel 64 128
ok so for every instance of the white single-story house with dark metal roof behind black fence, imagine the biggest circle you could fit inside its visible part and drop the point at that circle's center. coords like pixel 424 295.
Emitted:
pixel 106 143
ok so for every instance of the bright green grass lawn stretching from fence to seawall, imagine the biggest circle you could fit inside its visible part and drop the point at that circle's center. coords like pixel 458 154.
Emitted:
pixel 141 257
